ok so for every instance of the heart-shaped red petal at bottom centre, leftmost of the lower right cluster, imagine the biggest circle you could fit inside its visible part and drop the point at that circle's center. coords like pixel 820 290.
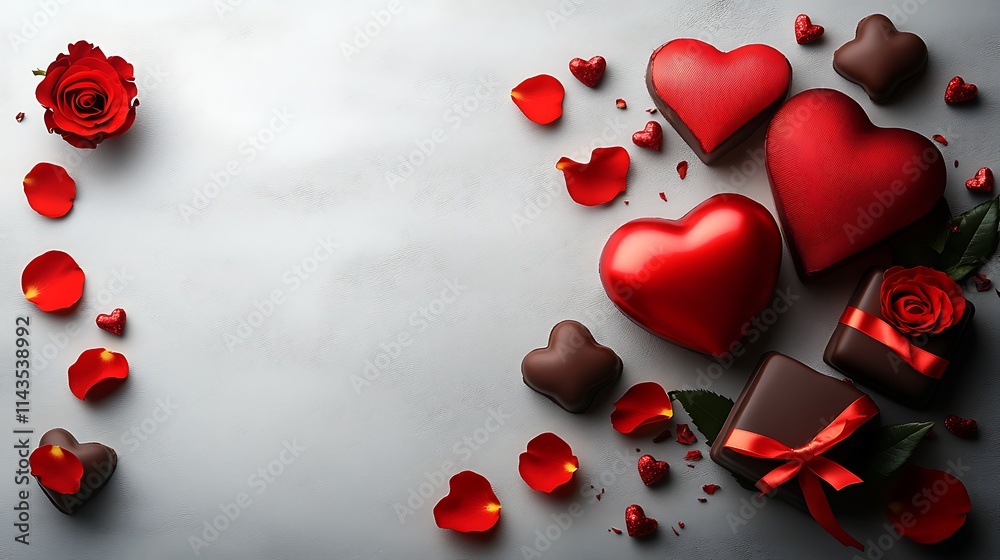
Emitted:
pixel 470 506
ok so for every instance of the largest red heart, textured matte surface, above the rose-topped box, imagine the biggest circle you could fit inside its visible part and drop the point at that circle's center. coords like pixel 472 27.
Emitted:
pixel 842 184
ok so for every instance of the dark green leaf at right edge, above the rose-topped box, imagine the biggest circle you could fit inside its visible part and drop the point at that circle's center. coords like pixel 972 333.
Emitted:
pixel 974 242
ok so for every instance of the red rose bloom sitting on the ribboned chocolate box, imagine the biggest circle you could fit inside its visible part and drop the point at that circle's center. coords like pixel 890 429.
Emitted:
pixel 920 300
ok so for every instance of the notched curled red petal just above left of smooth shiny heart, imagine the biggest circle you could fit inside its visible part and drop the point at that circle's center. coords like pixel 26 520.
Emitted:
pixel 598 181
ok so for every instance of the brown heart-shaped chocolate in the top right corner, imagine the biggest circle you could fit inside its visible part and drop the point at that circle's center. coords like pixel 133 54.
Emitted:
pixel 880 58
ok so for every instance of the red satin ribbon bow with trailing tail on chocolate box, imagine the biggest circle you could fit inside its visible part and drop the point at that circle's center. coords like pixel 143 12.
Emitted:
pixel 808 464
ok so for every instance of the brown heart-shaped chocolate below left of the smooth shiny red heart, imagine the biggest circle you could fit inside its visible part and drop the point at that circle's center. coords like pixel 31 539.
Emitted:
pixel 572 369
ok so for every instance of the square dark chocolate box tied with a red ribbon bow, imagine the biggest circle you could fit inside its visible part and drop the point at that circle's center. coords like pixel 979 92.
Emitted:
pixel 800 433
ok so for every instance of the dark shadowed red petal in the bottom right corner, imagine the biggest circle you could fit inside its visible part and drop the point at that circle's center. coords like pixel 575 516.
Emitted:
pixel 927 505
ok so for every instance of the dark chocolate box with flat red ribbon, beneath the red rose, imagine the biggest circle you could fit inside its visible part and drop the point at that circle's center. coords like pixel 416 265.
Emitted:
pixel 870 350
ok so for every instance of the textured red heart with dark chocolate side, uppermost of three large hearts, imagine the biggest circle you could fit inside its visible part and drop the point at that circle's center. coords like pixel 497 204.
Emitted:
pixel 716 100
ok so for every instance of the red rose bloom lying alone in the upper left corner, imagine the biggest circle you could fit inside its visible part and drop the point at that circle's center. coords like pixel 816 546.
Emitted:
pixel 87 96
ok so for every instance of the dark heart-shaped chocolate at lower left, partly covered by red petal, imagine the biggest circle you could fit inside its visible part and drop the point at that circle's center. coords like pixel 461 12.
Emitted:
pixel 99 463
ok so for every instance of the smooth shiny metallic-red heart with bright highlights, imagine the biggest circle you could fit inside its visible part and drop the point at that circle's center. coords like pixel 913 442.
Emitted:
pixel 698 280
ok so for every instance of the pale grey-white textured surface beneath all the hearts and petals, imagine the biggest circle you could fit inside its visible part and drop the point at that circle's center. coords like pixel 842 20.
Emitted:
pixel 209 79
